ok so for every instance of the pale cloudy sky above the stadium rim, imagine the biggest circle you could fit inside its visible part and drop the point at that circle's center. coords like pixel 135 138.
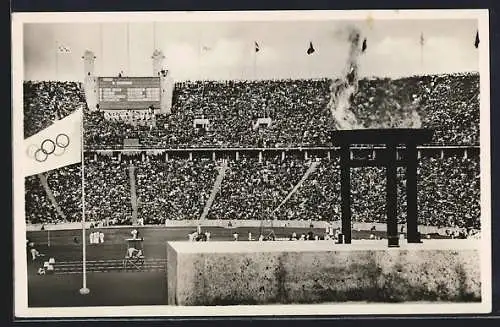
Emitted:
pixel 393 48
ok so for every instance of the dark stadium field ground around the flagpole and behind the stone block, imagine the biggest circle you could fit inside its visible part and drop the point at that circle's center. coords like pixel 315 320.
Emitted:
pixel 118 288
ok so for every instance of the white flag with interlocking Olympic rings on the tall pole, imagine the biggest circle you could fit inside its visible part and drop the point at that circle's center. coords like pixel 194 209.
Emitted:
pixel 56 146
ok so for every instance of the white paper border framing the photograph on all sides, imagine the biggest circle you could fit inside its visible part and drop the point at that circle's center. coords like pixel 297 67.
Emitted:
pixel 21 309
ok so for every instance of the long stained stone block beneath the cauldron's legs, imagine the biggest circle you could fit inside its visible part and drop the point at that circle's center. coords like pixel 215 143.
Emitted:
pixel 231 273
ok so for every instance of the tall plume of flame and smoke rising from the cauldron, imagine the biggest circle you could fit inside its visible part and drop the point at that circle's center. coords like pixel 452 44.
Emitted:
pixel 343 90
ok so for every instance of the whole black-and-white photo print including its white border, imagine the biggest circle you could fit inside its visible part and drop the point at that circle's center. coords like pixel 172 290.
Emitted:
pixel 251 163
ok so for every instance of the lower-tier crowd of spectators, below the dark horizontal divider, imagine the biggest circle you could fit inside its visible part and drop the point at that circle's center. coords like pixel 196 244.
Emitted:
pixel 448 191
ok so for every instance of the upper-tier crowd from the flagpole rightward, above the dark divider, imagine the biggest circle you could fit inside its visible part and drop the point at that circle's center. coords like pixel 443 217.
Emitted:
pixel 299 113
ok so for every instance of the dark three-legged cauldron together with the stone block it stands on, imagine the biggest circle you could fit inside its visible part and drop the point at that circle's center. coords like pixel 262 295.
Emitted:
pixel 234 273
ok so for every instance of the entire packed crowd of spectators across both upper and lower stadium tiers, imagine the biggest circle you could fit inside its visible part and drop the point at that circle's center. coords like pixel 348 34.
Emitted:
pixel 448 186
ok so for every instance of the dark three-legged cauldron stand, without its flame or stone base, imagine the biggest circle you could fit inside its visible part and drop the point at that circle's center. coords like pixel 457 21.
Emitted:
pixel 399 149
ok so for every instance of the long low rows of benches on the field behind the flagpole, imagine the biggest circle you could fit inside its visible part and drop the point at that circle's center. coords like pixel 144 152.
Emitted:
pixel 76 267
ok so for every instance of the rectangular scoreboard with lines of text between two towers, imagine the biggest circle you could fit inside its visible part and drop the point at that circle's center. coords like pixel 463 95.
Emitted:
pixel 121 93
